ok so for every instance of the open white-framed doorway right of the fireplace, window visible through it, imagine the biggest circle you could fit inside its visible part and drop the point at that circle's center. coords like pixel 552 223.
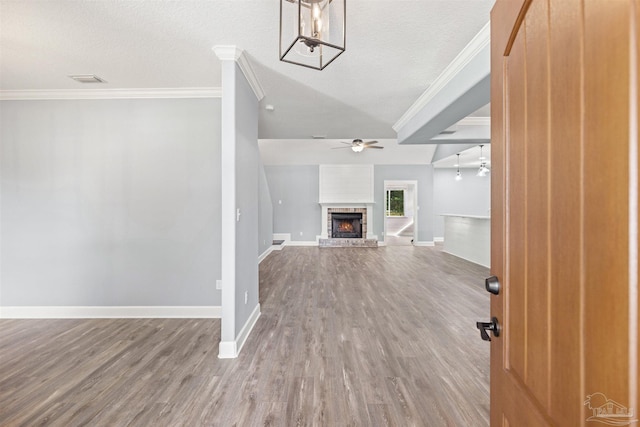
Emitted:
pixel 400 213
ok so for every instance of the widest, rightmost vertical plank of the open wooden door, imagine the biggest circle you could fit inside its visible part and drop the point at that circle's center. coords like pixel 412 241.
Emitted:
pixel 606 149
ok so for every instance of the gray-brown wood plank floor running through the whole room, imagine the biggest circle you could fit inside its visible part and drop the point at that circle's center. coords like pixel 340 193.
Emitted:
pixel 348 336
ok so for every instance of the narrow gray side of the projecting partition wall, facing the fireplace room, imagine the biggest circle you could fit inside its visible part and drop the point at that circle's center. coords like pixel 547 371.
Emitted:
pixel 247 199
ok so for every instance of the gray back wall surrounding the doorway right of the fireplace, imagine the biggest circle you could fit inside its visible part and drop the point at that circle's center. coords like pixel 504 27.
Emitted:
pixel 421 173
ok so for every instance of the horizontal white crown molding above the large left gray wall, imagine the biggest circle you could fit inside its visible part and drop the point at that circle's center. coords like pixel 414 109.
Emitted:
pixel 161 93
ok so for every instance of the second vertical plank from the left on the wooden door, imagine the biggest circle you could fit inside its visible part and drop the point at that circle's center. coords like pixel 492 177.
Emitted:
pixel 537 203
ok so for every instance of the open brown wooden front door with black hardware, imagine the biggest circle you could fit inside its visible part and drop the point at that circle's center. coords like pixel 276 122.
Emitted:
pixel 564 108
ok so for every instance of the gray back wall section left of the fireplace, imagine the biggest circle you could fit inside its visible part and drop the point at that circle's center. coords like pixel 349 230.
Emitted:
pixel 297 188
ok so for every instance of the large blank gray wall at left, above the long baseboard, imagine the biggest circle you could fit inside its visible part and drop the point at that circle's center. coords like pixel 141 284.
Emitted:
pixel 110 202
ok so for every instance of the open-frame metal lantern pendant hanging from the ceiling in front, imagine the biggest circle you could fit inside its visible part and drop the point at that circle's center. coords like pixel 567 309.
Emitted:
pixel 312 32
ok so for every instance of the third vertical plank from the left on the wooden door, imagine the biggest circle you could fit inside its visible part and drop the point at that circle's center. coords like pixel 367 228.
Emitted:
pixel 565 252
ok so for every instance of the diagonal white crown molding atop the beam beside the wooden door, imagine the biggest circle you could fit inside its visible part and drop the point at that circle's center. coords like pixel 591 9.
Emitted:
pixel 470 51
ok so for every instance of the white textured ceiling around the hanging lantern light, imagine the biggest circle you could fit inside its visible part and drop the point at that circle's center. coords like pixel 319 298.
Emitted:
pixel 395 49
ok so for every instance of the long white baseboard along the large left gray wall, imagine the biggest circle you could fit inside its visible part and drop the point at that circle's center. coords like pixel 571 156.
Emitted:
pixel 108 312
